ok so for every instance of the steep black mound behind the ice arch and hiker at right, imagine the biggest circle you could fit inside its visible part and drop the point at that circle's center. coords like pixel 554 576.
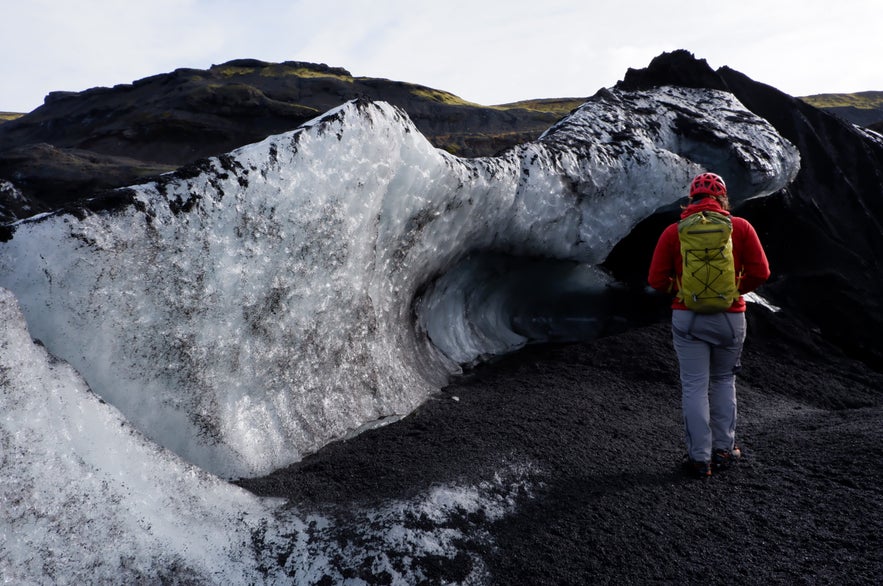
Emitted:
pixel 822 233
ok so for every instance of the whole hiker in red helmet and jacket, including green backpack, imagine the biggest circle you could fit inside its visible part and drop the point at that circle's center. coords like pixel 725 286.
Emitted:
pixel 708 333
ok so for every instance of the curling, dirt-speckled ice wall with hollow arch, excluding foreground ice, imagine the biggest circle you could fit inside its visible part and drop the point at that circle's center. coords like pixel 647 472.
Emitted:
pixel 249 309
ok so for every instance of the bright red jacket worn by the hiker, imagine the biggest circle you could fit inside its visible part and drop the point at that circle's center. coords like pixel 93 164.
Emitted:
pixel 752 267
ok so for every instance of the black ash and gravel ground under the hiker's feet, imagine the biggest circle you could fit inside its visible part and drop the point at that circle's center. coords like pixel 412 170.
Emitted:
pixel 599 424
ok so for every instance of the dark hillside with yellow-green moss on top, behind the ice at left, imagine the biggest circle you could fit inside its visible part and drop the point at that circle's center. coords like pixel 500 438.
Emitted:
pixel 80 143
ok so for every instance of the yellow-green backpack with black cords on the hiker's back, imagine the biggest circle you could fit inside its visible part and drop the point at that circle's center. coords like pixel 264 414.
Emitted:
pixel 708 281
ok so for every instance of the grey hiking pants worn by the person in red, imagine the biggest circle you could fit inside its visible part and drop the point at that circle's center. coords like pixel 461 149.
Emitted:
pixel 708 347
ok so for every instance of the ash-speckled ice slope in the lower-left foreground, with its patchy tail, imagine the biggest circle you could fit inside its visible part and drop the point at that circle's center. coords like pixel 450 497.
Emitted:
pixel 87 499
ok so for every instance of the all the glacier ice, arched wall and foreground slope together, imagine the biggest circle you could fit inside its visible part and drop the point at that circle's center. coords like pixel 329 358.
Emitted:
pixel 226 319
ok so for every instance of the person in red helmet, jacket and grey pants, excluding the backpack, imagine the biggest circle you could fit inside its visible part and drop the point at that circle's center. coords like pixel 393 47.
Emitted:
pixel 709 345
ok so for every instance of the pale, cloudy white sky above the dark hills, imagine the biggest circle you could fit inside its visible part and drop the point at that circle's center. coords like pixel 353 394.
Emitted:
pixel 484 51
